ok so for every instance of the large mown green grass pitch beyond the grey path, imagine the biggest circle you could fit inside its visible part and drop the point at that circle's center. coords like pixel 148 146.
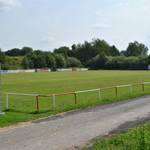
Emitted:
pixel 24 108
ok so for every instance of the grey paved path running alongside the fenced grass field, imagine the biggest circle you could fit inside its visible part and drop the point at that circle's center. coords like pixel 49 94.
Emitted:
pixel 73 129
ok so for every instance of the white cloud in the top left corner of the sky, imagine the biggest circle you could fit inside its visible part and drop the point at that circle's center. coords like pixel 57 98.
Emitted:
pixel 8 4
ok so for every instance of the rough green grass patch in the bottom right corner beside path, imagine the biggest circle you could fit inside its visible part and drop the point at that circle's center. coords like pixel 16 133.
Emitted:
pixel 135 139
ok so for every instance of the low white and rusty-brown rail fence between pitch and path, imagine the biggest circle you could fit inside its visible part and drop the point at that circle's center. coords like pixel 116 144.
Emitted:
pixel 54 96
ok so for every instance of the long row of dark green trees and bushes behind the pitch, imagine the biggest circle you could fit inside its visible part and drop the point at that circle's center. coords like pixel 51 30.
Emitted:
pixel 97 54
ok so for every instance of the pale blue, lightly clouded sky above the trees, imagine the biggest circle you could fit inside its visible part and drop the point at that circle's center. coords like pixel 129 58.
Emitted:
pixel 49 24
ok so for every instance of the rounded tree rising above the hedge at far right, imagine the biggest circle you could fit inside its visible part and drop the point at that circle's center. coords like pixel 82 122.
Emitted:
pixel 136 49
